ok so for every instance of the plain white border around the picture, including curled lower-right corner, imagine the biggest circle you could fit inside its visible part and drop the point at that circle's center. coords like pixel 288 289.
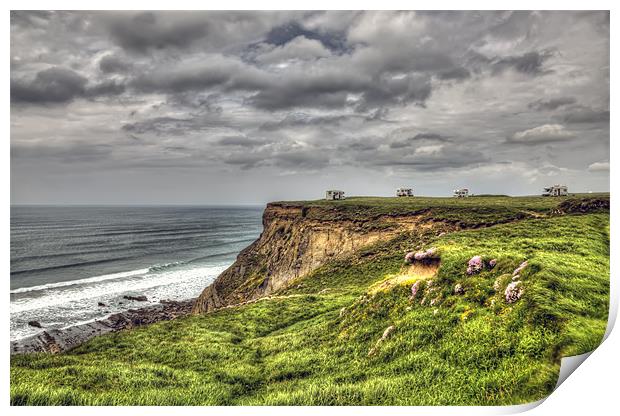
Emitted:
pixel 592 388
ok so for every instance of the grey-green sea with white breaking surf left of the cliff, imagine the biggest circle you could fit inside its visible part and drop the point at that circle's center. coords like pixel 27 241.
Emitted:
pixel 65 260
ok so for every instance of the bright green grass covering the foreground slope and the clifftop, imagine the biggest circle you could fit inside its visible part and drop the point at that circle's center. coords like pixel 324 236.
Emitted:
pixel 318 343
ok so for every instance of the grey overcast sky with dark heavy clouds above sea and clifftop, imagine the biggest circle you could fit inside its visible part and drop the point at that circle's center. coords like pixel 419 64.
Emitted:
pixel 247 107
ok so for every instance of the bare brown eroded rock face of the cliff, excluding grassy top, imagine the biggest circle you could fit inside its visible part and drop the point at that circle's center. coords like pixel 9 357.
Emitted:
pixel 295 241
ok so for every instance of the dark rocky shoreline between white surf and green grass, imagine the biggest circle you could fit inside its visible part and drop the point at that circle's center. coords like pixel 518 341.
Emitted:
pixel 59 340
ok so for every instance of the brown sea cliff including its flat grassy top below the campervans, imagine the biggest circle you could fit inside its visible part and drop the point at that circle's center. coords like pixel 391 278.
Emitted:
pixel 298 237
